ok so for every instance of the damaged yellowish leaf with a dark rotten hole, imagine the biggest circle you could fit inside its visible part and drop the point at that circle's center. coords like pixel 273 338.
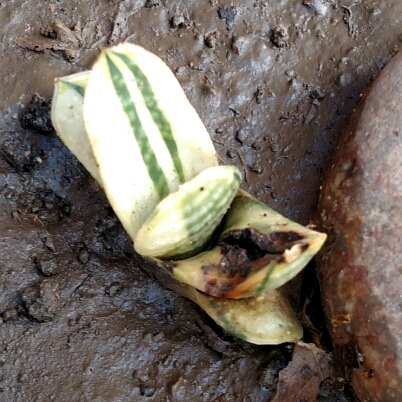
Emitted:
pixel 258 250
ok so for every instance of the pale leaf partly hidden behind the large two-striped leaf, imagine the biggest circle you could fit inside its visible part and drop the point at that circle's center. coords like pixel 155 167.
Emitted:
pixel 68 119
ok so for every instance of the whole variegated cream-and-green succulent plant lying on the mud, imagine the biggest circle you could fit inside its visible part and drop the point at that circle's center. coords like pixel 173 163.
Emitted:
pixel 130 124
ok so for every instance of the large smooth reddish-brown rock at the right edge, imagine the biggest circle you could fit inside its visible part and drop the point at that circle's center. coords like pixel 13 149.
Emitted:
pixel 361 263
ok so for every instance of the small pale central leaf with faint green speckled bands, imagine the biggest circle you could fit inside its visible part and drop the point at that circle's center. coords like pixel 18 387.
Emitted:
pixel 183 223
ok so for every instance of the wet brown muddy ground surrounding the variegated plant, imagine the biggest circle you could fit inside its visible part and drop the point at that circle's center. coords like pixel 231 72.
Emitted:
pixel 274 82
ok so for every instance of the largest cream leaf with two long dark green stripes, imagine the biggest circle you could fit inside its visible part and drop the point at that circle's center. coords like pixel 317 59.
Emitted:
pixel 146 136
